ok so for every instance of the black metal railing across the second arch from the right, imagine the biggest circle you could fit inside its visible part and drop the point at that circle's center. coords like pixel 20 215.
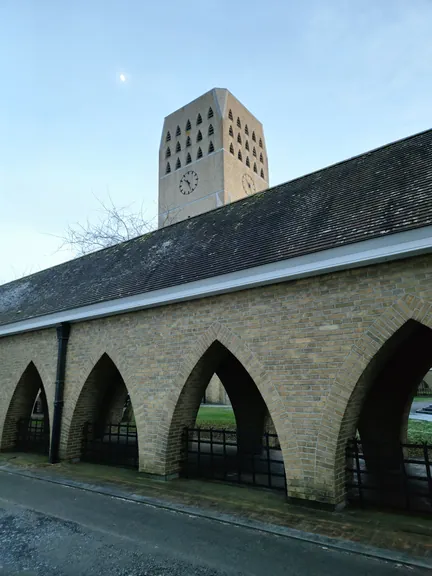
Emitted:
pixel 217 454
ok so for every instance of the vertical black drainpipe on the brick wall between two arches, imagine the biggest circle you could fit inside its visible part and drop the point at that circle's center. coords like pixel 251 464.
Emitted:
pixel 63 332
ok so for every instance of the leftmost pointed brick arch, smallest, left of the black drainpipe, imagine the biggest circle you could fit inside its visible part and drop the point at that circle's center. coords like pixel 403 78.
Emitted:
pixel 21 401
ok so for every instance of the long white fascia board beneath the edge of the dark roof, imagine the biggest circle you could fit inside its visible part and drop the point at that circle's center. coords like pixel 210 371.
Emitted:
pixel 386 248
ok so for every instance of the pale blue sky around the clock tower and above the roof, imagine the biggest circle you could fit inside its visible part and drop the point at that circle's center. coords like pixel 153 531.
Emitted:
pixel 328 80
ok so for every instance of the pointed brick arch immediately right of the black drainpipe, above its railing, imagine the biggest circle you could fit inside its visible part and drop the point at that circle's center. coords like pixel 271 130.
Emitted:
pixel 97 378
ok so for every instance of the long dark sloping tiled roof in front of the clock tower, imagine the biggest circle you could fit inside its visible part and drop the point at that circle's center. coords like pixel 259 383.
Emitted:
pixel 381 192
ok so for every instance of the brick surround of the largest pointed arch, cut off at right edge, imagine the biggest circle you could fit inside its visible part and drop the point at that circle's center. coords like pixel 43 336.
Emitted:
pixel 349 389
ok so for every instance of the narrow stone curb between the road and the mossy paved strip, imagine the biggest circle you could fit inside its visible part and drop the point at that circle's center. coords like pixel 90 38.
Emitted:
pixel 324 541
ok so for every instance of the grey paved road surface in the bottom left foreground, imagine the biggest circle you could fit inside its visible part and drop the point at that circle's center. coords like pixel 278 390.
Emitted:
pixel 47 529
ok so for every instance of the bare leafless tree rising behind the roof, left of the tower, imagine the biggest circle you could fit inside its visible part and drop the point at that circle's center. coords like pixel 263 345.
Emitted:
pixel 114 225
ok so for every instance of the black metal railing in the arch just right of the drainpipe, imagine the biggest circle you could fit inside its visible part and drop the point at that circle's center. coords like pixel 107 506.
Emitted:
pixel 112 444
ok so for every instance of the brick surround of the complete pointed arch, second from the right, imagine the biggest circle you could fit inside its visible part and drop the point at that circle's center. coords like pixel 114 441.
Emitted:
pixel 271 396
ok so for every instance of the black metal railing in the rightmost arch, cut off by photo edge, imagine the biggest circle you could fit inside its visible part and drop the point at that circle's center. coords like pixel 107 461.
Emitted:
pixel 380 476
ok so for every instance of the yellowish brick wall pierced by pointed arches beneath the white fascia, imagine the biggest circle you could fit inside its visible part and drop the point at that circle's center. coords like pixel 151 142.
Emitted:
pixel 305 343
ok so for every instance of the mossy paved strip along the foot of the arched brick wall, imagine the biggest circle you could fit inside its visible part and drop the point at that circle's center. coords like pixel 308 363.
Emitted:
pixel 411 535
